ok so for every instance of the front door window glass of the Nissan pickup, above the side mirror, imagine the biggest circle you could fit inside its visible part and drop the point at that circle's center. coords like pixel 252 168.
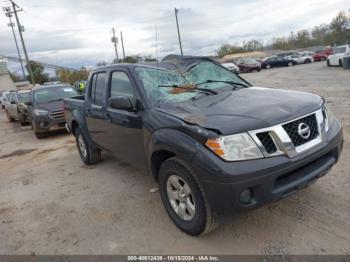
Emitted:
pixel 121 85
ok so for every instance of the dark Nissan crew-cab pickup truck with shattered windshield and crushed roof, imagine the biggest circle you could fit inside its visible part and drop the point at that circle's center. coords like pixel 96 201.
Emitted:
pixel 214 143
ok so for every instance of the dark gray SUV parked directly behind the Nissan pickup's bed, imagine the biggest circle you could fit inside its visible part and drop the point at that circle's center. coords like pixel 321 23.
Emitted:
pixel 46 108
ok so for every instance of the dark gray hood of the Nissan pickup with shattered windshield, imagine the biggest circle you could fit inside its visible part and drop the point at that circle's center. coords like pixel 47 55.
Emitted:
pixel 244 109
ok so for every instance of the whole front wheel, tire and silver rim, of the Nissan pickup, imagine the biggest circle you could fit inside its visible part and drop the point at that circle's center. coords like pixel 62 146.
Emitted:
pixel 203 219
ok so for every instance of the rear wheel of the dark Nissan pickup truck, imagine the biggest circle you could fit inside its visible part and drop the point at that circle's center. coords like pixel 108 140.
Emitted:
pixel 90 155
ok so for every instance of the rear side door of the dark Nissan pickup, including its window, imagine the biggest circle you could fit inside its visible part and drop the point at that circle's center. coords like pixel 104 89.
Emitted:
pixel 95 107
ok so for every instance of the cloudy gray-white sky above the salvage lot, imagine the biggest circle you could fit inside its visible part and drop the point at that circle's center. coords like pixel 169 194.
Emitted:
pixel 77 32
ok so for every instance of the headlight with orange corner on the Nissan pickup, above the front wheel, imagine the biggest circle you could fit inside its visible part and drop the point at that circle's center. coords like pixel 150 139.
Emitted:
pixel 235 147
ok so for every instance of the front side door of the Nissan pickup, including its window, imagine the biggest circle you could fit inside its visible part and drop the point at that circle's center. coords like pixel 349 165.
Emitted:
pixel 124 135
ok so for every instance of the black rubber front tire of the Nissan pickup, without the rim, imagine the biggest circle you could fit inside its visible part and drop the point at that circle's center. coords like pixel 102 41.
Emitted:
pixel 204 219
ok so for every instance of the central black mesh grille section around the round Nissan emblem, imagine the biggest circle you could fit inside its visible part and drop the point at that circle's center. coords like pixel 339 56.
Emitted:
pixel 292 129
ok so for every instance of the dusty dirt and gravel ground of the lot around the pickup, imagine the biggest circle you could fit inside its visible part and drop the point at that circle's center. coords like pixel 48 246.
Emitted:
pixel 50 203
